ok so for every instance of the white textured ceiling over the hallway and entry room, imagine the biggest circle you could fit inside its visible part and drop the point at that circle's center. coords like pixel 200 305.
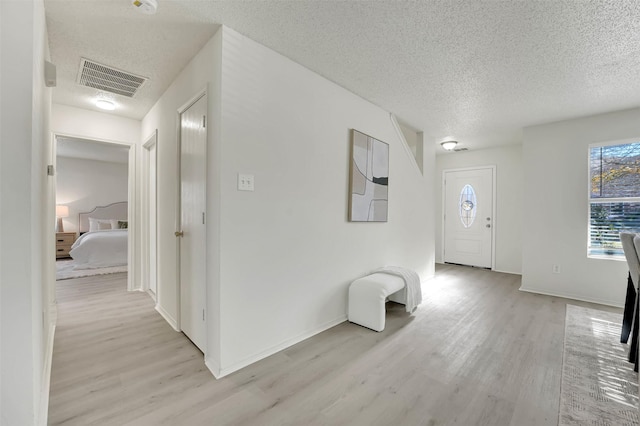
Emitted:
pixel 478 71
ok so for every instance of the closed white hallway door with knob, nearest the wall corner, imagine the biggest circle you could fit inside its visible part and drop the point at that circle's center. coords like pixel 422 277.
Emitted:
pixel 193 150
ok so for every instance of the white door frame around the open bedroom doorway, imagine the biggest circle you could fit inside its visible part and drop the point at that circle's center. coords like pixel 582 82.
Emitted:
pixel 132 256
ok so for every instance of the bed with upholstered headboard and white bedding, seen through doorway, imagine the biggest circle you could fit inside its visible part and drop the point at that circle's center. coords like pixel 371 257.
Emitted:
pixel 103 237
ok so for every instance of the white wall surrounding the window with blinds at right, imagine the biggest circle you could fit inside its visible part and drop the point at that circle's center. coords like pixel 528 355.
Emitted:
pixel 556 208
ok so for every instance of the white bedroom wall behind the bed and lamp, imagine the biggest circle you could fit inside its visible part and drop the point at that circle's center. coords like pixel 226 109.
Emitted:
pixel 84 184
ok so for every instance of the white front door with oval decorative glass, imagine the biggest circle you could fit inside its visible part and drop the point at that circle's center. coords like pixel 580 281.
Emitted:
pixel 468 216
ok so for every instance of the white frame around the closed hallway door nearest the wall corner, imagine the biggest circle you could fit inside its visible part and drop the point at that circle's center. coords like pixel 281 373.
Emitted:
pixel 178 223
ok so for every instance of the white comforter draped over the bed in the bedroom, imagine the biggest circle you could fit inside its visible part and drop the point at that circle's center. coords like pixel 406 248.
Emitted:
pixel 100 249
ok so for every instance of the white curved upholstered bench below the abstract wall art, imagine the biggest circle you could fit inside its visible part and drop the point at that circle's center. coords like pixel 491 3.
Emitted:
pixel 367 296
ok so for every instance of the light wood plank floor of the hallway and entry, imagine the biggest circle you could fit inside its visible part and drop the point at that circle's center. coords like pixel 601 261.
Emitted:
pixel 477 352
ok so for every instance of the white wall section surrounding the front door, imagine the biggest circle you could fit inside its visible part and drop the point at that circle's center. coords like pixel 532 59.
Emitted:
pixel 508 217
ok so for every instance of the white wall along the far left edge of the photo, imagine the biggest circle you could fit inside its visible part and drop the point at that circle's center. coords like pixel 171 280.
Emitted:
pixel 27 239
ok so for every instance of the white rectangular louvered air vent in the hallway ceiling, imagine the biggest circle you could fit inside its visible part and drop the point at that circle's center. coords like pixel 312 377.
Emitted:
pixel 103 77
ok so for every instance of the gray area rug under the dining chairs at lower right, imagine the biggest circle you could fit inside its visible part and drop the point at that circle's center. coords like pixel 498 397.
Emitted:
pixel 599 386
